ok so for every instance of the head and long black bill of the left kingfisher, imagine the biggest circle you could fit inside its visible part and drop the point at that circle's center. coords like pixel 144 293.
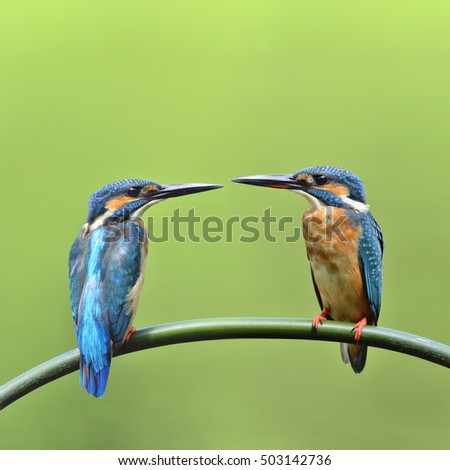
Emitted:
pixel 128 198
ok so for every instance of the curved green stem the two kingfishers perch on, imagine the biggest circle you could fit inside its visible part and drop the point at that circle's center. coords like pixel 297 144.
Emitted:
pixel 227 328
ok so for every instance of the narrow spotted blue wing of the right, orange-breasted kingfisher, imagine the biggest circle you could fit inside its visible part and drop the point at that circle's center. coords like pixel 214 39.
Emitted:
pixel 371 247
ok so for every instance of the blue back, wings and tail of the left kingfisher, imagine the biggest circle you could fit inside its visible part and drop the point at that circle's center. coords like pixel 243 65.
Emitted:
pixel 104 268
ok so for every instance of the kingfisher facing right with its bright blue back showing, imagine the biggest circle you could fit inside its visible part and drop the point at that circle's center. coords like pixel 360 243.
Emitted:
pixel 107 267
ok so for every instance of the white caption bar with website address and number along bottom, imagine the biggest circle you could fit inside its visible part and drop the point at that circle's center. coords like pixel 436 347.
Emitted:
pixel 251 459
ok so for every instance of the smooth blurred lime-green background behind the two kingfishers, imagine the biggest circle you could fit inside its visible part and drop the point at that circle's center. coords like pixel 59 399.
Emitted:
pixel 203 91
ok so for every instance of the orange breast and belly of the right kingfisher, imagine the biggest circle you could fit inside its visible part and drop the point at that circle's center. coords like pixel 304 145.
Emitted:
pixel 331 239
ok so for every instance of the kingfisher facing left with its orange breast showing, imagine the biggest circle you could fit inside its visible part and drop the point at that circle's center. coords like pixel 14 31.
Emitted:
pixel 344 245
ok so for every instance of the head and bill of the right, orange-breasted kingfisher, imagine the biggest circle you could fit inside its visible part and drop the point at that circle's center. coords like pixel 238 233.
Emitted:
pixel 320 185
